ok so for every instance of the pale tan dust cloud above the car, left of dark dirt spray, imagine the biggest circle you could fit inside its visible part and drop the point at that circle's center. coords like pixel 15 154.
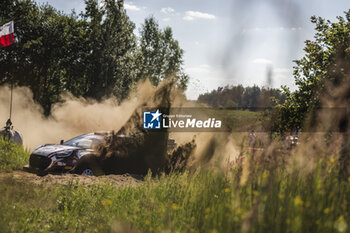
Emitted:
pixel 70 118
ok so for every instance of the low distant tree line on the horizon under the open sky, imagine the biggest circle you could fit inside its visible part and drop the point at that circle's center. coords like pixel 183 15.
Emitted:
pixel 242 97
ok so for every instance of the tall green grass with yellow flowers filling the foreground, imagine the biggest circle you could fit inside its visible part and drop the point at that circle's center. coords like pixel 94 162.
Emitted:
pixel 263 194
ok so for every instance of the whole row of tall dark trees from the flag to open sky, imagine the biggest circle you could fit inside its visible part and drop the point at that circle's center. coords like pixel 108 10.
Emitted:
pixel 93 54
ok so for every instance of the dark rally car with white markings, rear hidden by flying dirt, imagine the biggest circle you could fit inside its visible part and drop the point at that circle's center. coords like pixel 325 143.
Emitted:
pixel 74 156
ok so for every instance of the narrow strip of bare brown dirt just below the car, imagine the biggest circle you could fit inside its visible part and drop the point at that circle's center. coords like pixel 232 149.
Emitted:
pixel 26 177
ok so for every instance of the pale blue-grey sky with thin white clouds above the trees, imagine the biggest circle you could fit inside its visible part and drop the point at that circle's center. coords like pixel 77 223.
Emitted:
pixel 231 42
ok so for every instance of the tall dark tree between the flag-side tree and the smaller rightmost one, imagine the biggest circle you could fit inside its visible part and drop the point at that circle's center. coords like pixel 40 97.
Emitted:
pixel 112 66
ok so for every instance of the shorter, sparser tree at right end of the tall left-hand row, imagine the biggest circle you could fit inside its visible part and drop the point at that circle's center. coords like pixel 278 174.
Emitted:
pixel 161 54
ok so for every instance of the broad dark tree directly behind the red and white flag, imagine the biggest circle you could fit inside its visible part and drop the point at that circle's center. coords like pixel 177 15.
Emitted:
pixel 45 52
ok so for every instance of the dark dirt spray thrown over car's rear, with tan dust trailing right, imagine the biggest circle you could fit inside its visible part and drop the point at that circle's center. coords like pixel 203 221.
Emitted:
pixel 138 154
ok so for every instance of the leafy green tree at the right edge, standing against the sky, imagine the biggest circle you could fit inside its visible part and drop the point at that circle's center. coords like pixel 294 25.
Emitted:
pixel 325 64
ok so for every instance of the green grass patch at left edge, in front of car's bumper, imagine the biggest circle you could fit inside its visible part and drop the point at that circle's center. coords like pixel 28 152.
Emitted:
pixel 12 156
